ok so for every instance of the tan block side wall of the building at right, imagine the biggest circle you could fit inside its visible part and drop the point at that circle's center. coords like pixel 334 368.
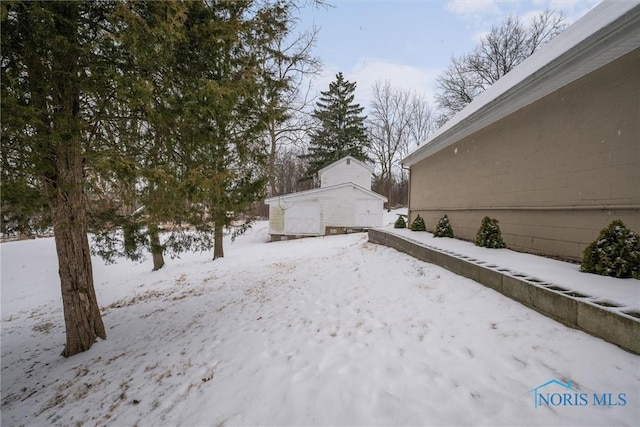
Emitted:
pixel 553 173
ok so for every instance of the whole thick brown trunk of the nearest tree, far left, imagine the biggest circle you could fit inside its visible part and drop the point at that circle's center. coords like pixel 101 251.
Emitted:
pixel 62 138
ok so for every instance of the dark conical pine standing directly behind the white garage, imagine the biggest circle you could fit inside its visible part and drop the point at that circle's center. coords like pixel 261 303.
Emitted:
pixel 341 130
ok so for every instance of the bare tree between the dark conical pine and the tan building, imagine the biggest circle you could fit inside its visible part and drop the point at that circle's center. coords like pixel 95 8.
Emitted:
pixel 398 121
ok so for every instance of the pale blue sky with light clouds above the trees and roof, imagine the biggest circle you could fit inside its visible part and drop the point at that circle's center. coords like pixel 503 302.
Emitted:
pixel 409 42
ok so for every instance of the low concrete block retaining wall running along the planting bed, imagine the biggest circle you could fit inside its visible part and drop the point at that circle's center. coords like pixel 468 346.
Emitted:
pixel 598 317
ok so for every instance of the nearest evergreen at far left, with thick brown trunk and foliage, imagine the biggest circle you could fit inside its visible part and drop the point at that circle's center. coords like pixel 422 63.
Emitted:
pixel 55 74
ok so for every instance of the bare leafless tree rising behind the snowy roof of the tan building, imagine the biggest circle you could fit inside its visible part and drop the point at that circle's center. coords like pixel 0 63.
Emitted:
pixel 498 52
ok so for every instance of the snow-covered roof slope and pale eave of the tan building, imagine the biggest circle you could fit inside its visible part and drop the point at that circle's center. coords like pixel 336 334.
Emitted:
pixel 607 32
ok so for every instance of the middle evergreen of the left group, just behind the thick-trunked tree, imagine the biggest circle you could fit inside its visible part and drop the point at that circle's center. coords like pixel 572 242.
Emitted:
pixel 145 182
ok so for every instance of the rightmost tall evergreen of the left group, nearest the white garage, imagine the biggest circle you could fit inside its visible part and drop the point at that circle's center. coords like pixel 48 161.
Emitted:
pixel 225 112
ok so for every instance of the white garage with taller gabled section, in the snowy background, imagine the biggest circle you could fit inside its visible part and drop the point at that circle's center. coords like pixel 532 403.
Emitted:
pixel 344 203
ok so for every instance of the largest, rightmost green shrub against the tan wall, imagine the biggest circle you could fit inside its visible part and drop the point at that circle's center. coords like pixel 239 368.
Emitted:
pixel 615 253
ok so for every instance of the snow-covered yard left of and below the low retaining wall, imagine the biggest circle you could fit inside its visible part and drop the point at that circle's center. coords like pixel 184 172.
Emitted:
pixel 320 331
